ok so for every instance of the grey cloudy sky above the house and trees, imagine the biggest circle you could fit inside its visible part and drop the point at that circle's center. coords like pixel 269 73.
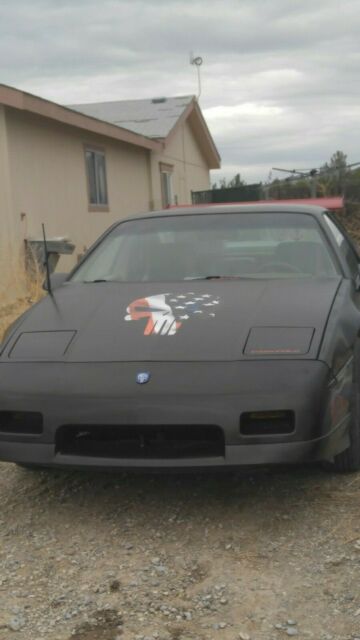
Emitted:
pixel 280 78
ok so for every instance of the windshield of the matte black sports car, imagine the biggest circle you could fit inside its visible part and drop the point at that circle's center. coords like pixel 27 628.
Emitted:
pixel 186 247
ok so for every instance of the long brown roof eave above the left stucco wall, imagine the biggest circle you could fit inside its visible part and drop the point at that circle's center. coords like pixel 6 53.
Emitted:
pixel 16 99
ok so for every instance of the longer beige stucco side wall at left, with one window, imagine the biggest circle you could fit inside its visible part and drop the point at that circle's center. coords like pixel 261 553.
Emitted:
pixel 49 183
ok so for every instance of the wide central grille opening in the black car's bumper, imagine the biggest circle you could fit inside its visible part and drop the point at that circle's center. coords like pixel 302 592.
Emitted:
pixel 164 441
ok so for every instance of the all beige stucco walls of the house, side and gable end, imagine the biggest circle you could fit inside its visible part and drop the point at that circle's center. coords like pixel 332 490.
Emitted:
pixel 44 179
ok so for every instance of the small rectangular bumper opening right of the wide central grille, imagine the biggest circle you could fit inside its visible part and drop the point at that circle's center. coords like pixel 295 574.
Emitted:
pixel 267 423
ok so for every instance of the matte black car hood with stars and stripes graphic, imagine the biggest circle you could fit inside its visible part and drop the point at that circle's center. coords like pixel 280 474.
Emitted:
pixel 189 321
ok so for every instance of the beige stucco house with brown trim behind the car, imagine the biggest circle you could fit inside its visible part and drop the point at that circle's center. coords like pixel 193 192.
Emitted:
pixel 80 168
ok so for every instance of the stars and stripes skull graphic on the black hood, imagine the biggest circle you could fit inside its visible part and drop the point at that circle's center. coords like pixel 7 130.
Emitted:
pixel 165 313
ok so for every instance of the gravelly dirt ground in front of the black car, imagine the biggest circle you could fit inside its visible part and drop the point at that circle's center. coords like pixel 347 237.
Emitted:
pixel 263 555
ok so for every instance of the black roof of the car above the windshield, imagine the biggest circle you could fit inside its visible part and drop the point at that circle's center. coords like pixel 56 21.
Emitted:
pixel 255 208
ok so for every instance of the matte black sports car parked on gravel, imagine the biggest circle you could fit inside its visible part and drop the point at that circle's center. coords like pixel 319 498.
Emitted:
pixel 201 337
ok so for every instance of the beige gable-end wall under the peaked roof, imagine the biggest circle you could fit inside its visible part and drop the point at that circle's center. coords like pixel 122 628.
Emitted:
pixel 191 171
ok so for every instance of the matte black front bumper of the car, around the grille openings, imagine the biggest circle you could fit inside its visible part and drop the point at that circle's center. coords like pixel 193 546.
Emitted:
pixel 209 393
